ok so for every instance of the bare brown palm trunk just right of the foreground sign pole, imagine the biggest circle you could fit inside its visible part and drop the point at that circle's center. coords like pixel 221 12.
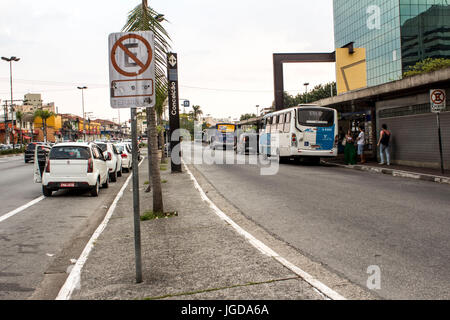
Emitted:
pixel 155 173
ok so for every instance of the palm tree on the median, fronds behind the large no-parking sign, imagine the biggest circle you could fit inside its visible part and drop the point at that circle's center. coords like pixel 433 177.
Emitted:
pixel 144 18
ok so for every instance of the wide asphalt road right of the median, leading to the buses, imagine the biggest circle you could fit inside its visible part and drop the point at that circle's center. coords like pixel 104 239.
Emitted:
pixel 349 220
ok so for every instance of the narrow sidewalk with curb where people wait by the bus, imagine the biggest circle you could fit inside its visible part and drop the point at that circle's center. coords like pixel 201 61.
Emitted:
pixel 426 174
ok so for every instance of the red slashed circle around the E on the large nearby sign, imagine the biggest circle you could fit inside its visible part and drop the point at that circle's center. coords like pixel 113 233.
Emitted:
pixel 132 56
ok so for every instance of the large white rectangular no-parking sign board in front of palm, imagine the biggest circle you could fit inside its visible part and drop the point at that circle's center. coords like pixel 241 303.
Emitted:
pixel 132 69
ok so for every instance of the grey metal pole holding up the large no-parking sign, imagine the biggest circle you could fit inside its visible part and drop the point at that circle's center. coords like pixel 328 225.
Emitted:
pixel 136 208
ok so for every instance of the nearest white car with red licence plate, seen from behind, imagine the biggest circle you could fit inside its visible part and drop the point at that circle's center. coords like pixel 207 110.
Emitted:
pixel 75 165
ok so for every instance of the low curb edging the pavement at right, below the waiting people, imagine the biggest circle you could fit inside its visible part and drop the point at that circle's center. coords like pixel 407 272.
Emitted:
pixel 394 172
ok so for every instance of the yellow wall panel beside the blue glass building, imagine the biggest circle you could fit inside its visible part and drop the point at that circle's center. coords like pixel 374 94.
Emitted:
pixel 351 69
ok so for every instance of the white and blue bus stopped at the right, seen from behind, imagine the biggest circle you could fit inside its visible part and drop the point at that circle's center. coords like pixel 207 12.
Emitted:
pixel 306 131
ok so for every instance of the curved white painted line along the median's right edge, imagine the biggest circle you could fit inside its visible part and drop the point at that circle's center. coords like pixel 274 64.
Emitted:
pixel 319 286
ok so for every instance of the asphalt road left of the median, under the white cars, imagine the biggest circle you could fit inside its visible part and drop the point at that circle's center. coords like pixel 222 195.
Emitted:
pixel 39 242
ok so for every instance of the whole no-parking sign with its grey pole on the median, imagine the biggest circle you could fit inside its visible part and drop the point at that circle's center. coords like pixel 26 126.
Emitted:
pixel 132 79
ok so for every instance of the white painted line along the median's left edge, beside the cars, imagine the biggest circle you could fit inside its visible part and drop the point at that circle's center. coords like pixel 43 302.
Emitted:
pixel 73 281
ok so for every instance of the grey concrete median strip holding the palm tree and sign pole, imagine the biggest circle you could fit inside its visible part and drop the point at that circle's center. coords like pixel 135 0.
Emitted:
pixel 195 255
